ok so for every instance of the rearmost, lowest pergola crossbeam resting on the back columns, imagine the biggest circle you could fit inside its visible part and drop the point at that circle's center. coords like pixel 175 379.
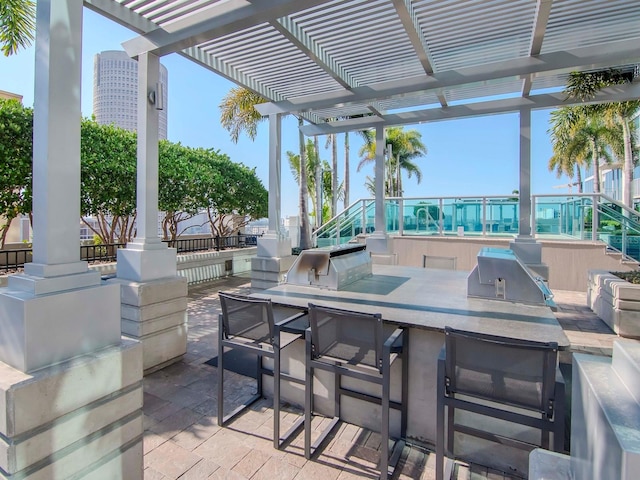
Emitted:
pixel 617 93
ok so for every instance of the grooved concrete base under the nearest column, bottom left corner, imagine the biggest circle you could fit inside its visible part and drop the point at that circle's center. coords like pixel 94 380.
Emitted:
pixel 80 418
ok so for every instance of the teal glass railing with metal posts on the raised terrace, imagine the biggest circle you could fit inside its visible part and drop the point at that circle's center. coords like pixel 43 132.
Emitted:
pixel 567 217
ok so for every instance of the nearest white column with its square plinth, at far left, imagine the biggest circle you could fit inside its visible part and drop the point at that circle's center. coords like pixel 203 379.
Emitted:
pixel 57 309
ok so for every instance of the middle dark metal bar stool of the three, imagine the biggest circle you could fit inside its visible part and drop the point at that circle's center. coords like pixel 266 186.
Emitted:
pixel 356 345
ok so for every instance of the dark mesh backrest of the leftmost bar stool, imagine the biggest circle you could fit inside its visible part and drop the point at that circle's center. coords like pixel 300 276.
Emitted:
pixel 246 317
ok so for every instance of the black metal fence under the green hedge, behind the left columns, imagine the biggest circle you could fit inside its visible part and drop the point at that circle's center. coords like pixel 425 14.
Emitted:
pixel 14 259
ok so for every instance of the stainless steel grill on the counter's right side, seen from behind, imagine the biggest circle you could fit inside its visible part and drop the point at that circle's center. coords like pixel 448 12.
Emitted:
pixel 501 275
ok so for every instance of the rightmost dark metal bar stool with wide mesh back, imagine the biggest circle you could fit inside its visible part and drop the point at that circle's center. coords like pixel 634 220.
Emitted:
pixel 514 380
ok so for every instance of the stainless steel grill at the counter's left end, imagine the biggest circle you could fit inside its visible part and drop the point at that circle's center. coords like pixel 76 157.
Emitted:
pixel 330 267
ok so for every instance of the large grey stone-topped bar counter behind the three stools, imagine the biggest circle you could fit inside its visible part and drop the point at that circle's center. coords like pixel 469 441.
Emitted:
pixel 425 301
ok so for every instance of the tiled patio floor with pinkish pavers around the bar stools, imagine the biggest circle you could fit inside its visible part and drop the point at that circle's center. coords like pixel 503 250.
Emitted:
pixel 182 439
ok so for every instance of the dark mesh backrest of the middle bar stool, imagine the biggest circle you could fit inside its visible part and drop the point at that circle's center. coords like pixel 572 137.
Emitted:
pixel 351 337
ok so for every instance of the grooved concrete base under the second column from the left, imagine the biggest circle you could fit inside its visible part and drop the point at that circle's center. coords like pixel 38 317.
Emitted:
pixel 155 314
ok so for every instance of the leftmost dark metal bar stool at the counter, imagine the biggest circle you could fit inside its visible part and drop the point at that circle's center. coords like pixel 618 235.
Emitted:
pixel 248 324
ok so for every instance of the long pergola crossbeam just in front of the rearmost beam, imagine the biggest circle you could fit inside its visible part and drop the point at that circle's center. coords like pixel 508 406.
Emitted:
pixel 608 55
